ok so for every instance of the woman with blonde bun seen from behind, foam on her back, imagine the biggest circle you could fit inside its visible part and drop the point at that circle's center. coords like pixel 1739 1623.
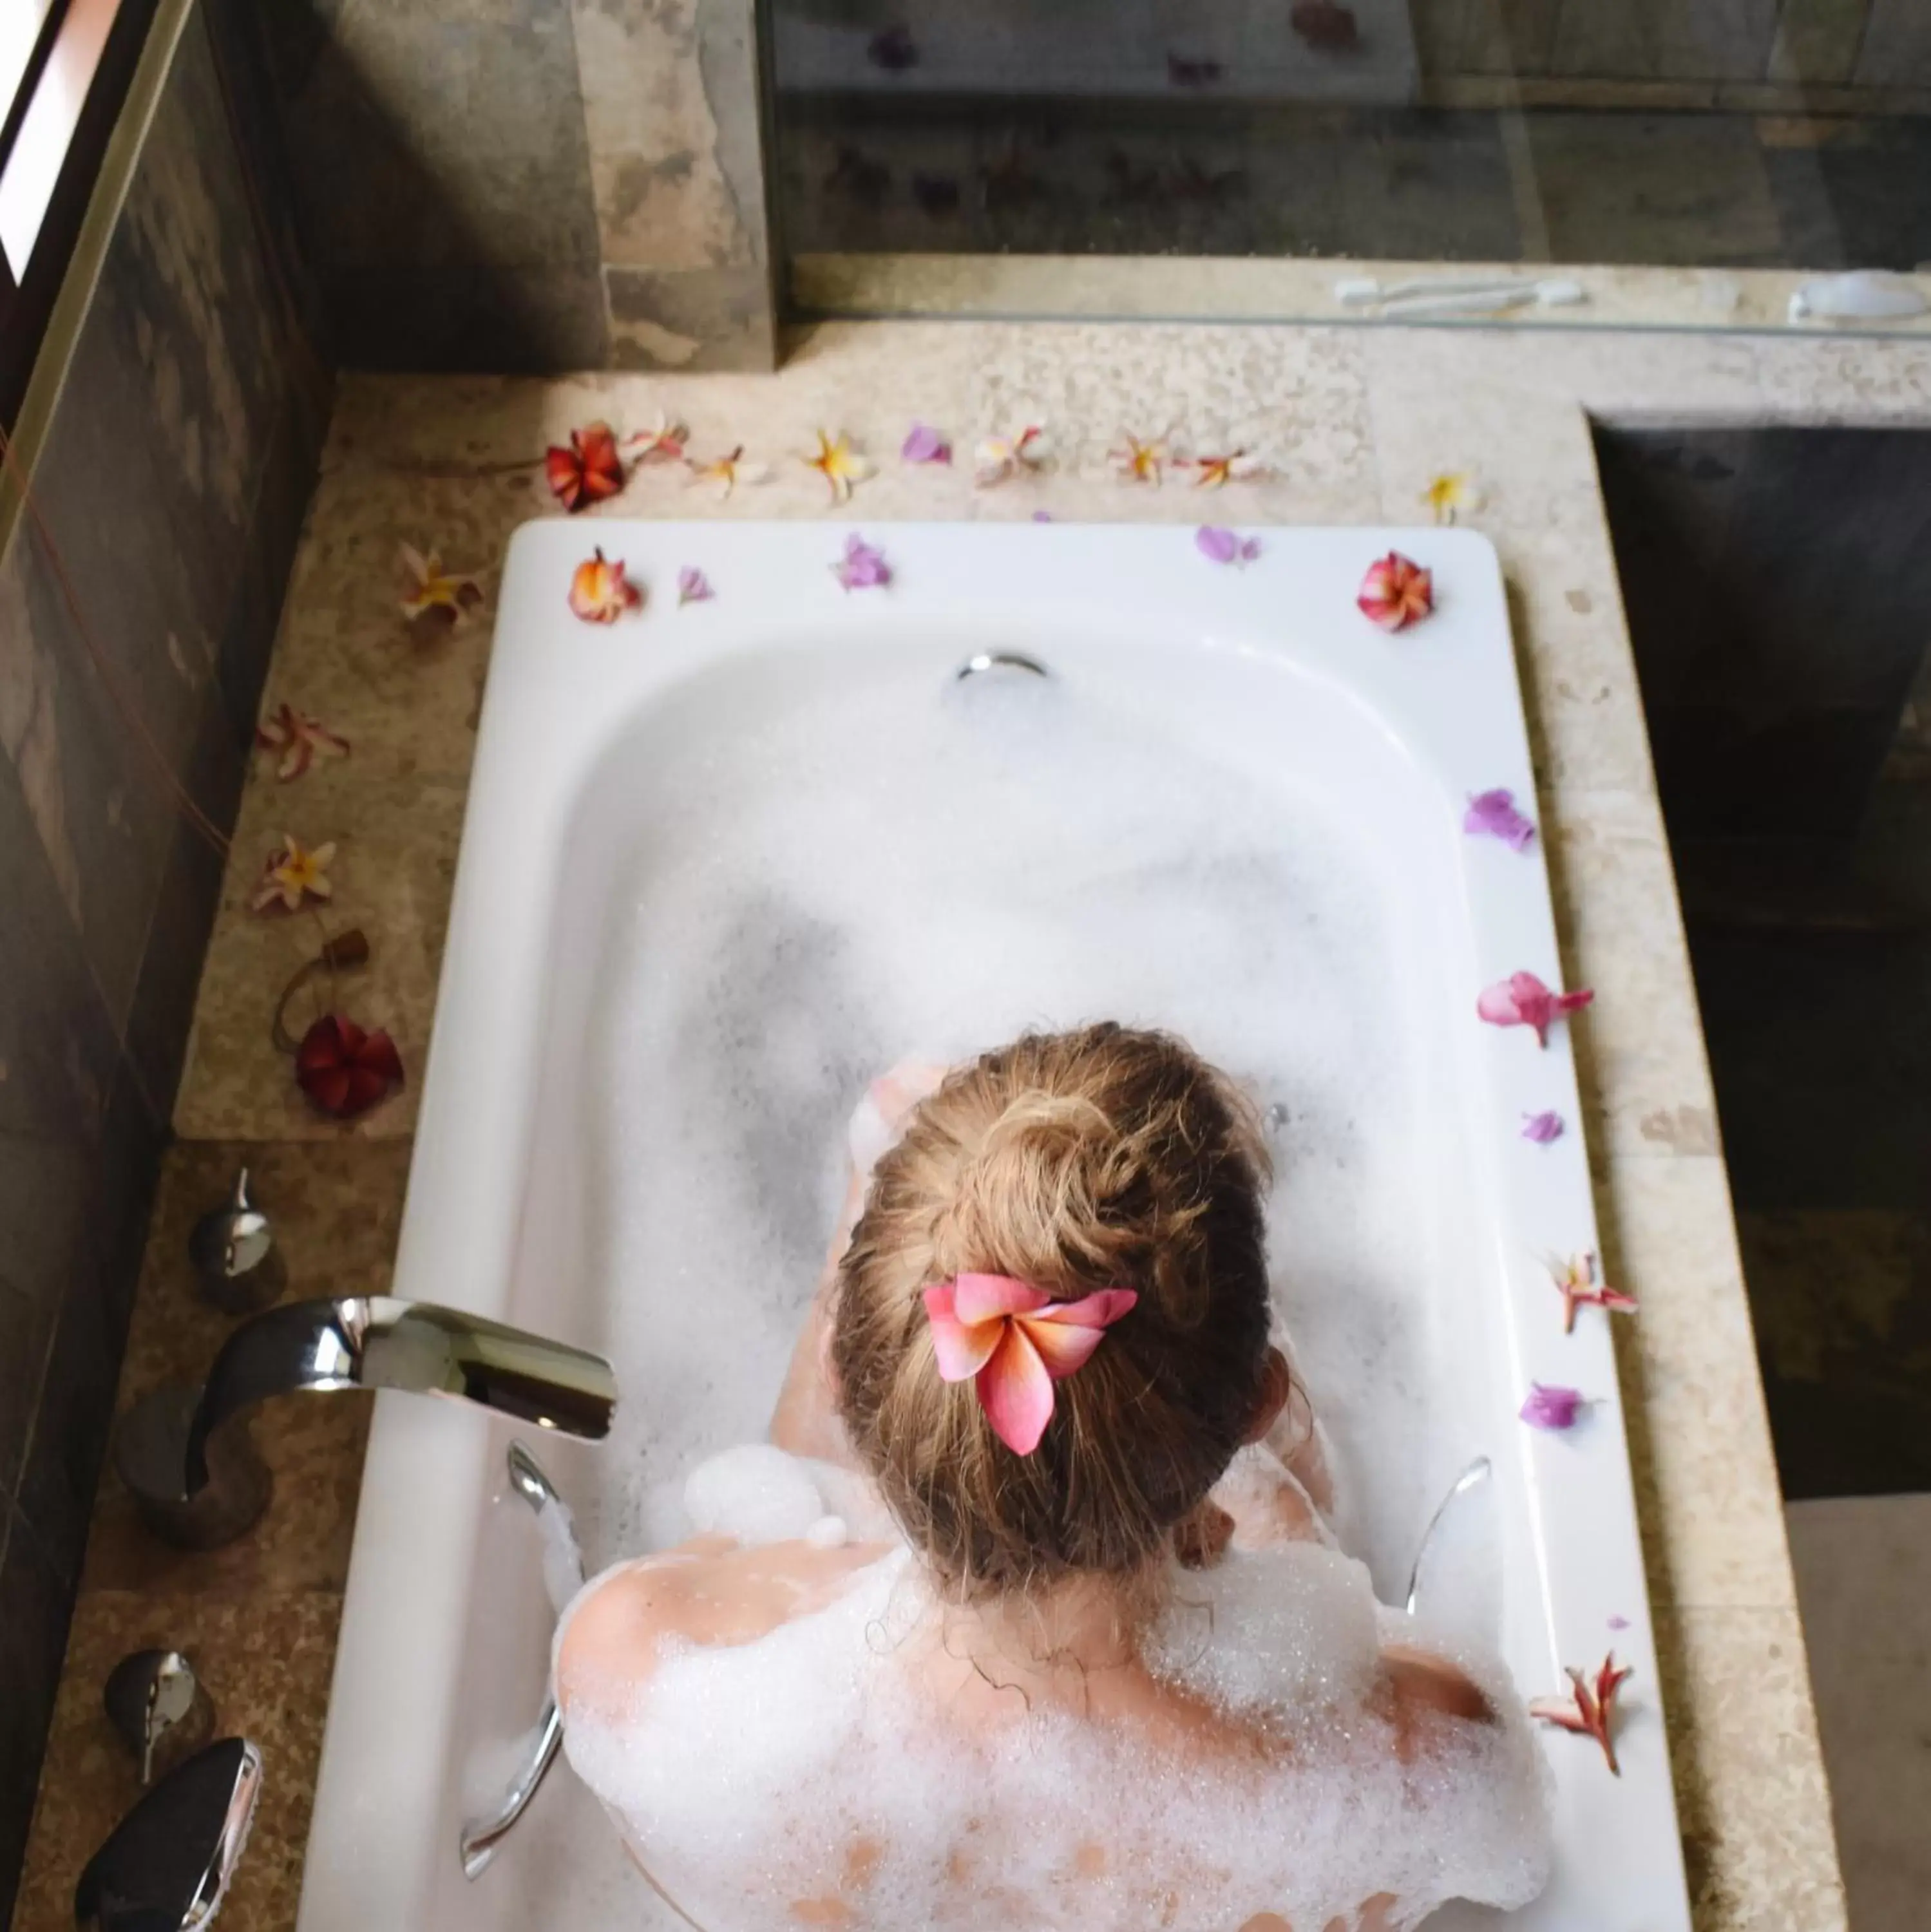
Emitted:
pixel 1035 1620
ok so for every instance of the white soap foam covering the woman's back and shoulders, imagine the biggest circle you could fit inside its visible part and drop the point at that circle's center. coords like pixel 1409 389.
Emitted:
pixel 747 1775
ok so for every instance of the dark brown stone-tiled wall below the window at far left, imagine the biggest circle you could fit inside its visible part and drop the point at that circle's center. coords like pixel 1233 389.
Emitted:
pixel 171 486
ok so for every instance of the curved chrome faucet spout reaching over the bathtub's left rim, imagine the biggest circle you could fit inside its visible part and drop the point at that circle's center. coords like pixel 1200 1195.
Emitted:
pixel 190 1462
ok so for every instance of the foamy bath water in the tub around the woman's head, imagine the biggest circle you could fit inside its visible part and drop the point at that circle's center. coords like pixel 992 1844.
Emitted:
pixel 906 870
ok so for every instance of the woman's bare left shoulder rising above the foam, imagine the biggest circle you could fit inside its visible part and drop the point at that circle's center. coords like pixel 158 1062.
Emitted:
pixel 706 1593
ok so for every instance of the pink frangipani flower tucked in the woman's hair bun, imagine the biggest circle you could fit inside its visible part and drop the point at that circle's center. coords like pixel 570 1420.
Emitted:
pixel 1016 1342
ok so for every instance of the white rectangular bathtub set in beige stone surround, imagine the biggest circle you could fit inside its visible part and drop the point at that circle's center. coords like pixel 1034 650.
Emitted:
pixel 610 984
